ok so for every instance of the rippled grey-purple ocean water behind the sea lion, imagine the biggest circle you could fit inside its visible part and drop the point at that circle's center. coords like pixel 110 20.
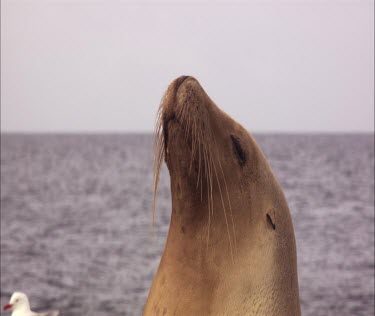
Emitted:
pixel 76 218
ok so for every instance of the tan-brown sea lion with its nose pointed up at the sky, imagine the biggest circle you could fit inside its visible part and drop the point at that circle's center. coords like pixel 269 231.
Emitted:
pixel 230 248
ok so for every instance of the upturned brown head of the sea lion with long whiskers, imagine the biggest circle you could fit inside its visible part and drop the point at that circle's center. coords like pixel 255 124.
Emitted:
pixel 214 163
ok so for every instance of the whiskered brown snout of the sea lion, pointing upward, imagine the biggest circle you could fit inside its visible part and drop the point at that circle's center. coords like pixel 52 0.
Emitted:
pixel 184 131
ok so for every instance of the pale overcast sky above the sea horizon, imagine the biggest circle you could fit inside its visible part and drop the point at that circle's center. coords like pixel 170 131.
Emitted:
pixel 95 66
